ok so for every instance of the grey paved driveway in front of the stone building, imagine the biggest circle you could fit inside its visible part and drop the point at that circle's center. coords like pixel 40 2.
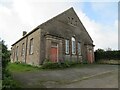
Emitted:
pixel 91 76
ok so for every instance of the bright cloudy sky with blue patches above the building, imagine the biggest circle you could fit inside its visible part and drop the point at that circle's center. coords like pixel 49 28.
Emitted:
pixel 99 18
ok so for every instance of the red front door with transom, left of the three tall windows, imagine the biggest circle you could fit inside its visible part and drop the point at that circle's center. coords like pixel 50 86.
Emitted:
pixel 54 52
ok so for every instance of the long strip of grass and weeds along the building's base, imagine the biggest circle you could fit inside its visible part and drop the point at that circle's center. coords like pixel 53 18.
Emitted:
pixel 19 67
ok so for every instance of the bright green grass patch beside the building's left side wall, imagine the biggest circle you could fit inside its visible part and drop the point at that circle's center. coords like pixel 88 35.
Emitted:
pixel 14 67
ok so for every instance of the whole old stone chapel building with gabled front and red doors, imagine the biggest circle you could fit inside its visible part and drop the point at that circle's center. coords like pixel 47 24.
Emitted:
pixel 61 38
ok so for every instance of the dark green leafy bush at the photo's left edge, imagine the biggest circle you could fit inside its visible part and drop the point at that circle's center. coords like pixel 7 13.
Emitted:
pixel 7 81
